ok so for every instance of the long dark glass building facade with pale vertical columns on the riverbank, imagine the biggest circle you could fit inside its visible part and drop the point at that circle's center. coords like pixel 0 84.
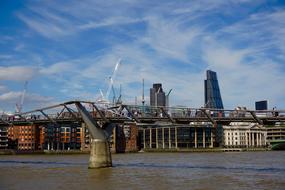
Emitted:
pixel 177 137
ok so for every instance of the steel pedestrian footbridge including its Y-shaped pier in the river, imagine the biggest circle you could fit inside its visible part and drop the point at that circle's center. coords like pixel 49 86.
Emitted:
pixel 101 118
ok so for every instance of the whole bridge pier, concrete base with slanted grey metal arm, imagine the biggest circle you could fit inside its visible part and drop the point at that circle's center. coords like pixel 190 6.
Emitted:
pixel 100 154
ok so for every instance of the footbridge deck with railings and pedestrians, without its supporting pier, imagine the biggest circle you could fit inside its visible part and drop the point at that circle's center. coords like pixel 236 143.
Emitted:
pixel 143 115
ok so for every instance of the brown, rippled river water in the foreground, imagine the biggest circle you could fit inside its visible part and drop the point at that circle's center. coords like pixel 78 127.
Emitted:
pixel 233 170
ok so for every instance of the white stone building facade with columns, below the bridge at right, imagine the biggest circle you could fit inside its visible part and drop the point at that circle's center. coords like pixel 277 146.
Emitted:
pixel 244 135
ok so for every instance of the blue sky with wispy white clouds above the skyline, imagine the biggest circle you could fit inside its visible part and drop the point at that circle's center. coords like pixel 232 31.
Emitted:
pixel 67 50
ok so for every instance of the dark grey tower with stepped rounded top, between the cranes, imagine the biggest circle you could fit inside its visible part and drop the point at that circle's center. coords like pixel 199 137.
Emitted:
pixel 157 96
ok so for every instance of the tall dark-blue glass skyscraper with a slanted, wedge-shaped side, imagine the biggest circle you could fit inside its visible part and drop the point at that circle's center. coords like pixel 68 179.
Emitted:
pixel 213 97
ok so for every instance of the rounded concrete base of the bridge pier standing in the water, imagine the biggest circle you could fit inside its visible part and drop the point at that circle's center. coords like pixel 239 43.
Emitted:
pixel 100 154
